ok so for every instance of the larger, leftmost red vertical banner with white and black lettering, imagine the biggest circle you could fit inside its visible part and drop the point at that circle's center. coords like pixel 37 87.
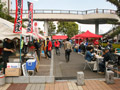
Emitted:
pixel 18 17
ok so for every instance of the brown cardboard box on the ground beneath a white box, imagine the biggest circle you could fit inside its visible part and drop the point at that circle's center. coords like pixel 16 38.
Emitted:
pixel 12 72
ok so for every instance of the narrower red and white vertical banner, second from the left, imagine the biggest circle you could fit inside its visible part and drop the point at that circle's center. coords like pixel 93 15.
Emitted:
pixel 30 17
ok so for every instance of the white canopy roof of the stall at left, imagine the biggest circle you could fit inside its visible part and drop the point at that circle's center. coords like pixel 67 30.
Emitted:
pixel 6 30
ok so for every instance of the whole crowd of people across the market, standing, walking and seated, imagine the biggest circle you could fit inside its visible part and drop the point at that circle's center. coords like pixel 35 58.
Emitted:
pixel 83 46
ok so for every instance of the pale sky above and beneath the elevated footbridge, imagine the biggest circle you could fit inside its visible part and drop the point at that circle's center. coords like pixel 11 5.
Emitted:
pixel 72 5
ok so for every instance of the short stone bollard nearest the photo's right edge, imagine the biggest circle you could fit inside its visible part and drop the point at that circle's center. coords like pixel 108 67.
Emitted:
pixel 109 77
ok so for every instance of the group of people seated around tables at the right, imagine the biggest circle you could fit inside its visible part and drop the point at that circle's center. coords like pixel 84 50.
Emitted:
pixel 89 50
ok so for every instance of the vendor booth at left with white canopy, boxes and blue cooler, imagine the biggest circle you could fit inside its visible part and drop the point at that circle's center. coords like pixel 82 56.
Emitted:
pixel 19 62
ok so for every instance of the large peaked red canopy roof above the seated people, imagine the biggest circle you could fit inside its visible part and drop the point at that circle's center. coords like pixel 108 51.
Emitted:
pixel 88 34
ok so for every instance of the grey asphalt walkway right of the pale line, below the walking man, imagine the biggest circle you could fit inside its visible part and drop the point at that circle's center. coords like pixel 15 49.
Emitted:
pixel 69 70
